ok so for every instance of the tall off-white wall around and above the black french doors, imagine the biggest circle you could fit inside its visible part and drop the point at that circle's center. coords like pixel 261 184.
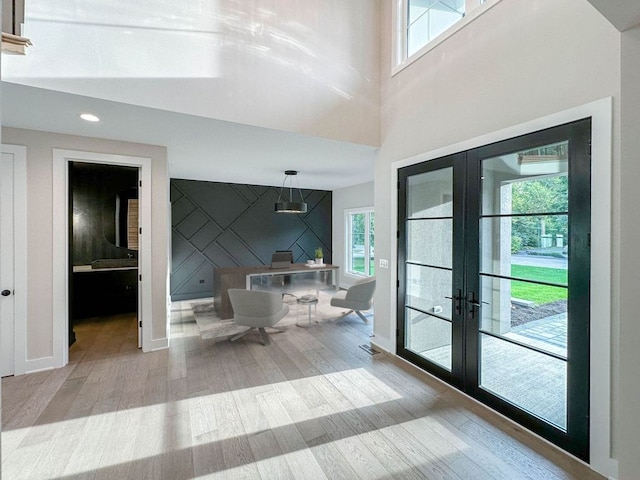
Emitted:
pixel 520 61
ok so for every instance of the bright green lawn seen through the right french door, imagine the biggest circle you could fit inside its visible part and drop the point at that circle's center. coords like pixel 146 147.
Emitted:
pixel 540 294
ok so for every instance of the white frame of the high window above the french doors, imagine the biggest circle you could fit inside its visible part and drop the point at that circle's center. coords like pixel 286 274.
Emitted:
pixel 401 59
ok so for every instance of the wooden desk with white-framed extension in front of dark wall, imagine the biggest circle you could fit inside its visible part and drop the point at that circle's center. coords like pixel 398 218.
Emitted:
pixel 267 278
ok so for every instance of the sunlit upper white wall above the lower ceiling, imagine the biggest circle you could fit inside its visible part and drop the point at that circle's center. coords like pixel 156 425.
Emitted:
pixel 308 67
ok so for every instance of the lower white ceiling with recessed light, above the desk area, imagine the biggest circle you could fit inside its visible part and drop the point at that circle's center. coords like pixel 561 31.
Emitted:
pixel 198 148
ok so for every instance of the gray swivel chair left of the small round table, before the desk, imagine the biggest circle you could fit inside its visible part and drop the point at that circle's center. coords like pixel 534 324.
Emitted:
pixel 256 309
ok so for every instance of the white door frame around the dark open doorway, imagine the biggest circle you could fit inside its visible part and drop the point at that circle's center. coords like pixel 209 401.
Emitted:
pixel 61 265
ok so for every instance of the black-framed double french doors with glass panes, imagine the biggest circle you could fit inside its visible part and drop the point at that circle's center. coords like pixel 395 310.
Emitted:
pixel 493 270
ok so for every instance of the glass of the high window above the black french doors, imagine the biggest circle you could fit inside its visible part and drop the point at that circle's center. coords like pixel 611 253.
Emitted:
pixel 421 21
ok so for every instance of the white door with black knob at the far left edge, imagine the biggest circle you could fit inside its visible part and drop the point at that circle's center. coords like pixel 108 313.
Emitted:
pixel 7 274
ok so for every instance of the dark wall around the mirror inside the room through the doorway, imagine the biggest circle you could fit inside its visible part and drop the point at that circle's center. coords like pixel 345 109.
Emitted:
pixel 93 190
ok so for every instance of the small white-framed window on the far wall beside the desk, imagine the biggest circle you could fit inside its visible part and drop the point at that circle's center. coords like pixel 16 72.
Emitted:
pixel 360 242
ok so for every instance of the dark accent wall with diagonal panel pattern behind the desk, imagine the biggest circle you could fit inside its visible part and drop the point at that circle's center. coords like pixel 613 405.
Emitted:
pixel 223 225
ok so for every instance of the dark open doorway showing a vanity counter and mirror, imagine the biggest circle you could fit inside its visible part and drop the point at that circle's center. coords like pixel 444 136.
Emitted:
pixel 103 246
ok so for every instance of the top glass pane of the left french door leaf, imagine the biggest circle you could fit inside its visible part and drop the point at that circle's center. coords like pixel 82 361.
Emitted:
pixel 430 194
